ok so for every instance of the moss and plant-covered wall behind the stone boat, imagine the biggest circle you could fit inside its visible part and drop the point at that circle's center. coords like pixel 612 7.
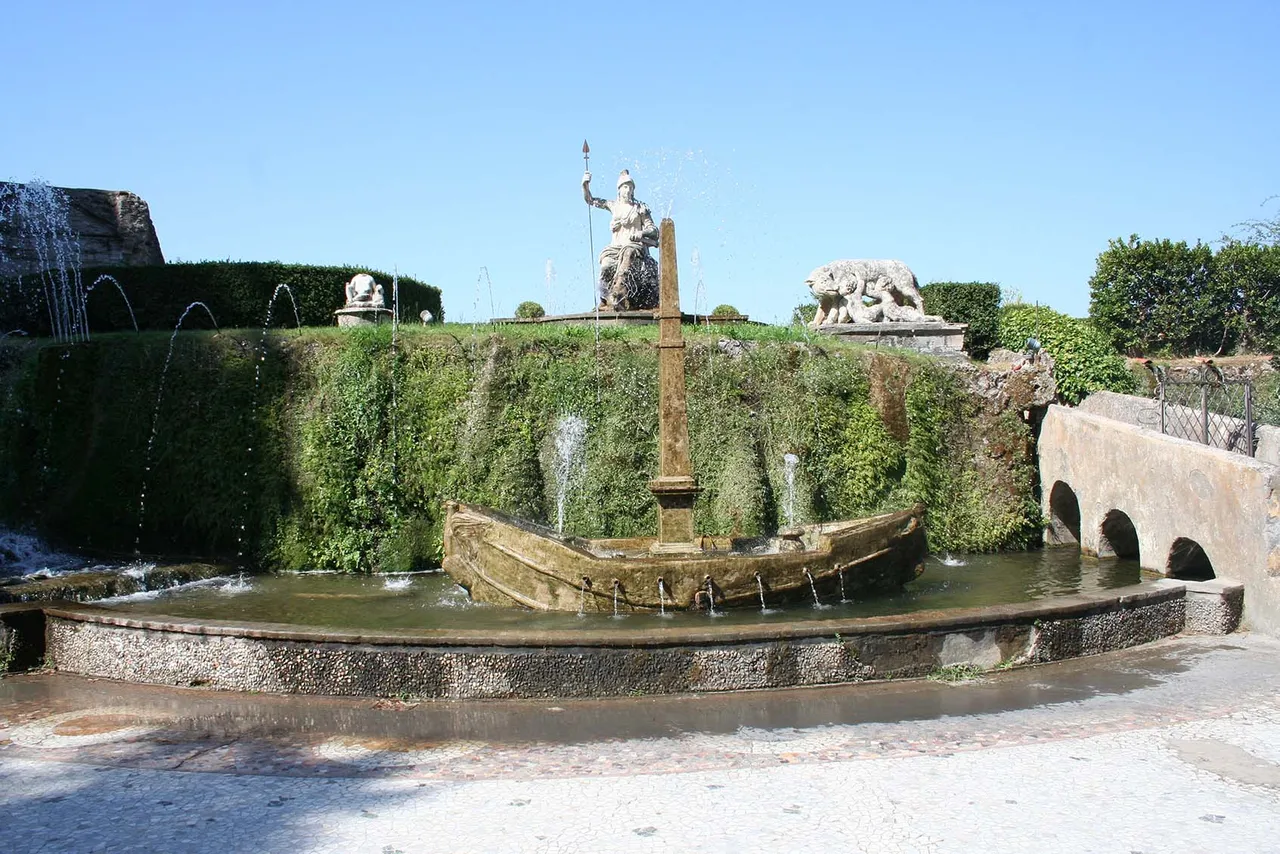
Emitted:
pixel 335 449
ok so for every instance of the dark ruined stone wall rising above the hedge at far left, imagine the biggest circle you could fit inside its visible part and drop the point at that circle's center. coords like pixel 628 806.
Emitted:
pixel 115 230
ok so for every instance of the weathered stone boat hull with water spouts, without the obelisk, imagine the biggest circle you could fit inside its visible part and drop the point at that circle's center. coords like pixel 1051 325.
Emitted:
pixel 506 561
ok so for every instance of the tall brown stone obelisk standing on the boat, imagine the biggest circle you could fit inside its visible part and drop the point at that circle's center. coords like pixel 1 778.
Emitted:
pixel 675 488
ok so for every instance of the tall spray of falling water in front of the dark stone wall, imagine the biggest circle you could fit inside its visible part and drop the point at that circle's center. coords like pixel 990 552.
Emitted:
pixel 40 217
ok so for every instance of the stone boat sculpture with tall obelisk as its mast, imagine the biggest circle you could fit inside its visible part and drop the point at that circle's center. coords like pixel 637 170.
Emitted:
pixel 509 561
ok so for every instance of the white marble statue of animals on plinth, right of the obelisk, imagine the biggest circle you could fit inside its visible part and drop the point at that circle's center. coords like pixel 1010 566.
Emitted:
pixel 867 291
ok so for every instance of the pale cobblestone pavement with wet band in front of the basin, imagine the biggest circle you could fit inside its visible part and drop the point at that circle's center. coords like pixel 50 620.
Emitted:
pixel 1169 748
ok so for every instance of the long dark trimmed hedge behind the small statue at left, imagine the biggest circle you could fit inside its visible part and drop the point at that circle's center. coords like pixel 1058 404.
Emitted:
pixel 236 293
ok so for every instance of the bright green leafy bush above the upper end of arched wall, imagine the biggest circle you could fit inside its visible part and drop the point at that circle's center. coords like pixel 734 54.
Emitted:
pixel 1085 360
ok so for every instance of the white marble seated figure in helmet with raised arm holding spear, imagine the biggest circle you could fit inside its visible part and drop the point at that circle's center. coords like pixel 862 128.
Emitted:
pixel 629 275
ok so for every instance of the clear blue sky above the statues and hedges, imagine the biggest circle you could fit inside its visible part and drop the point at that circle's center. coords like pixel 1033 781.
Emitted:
pixel 1002 143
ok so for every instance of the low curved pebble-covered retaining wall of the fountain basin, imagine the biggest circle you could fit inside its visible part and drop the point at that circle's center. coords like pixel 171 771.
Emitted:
pixel 98 642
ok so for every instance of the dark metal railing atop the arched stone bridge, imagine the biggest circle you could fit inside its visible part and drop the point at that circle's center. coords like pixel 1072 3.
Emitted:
pixel 1208 409
